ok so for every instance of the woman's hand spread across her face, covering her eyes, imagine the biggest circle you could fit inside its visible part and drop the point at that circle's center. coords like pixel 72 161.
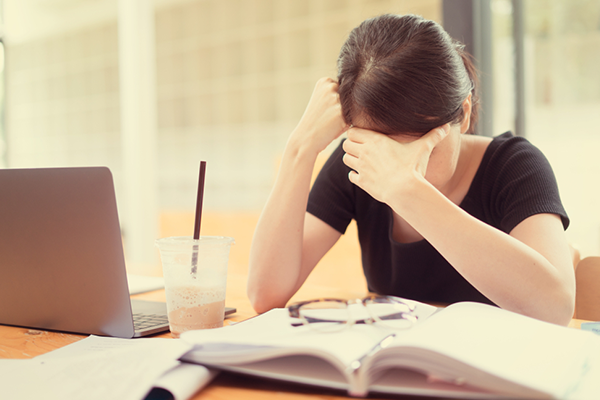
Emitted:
pixel 384 166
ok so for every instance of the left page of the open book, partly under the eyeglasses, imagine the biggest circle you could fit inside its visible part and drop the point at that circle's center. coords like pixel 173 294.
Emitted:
pixel 272 334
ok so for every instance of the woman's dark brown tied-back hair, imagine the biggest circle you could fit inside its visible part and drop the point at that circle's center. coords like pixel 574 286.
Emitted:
pixel 405 74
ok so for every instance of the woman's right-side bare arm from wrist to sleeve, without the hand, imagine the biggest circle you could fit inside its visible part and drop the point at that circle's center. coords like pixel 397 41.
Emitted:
pixel 528 271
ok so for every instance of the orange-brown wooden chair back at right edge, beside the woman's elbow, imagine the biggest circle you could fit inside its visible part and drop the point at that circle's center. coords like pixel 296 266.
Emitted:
pixel 587 298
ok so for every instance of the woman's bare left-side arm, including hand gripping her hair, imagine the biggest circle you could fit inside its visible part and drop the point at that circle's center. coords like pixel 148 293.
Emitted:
pixel 287 242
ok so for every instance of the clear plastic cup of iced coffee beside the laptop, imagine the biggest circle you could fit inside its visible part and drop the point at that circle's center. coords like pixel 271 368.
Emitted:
pixel 195 293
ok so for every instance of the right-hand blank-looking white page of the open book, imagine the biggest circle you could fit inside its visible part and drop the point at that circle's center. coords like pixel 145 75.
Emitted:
pixel 504 345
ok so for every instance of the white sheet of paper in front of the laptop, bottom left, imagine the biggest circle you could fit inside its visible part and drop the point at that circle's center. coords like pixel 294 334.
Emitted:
pixel 93 368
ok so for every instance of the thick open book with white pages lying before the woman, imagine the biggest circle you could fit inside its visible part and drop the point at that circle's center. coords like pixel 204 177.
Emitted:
pixel 467 350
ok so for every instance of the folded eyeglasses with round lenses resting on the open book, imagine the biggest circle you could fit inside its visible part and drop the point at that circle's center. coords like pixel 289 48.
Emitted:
pixel 335 314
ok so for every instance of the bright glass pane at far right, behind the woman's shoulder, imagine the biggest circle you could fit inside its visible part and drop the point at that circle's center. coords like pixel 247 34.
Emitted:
pixel 562 50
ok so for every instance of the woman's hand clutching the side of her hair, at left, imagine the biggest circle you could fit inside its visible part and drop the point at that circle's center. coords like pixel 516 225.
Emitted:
pixel 322 121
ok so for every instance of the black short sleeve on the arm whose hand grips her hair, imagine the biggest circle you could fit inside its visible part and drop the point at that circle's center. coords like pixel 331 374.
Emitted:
pixel 331 198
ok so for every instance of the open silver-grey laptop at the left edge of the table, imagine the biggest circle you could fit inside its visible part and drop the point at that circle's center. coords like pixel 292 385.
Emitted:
pixel 61 255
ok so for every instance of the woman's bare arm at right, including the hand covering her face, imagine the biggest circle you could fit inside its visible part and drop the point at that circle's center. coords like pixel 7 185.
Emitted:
pixel 528 271
